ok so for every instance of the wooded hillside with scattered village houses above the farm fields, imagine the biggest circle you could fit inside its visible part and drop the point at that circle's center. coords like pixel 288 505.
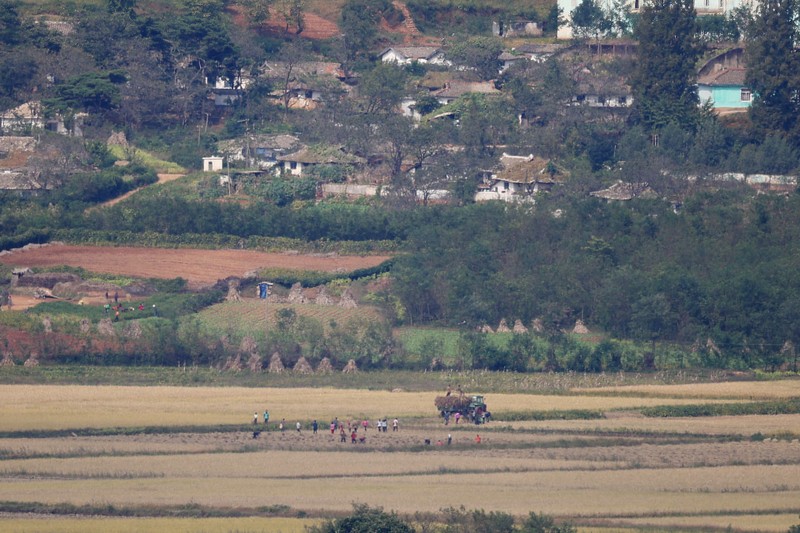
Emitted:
pixel 363 121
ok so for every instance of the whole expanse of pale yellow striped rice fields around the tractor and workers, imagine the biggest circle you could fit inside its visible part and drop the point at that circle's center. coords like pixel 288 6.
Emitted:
pixel 161 450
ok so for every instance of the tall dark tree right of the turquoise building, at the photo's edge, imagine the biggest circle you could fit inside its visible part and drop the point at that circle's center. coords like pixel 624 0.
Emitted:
pixel 773 69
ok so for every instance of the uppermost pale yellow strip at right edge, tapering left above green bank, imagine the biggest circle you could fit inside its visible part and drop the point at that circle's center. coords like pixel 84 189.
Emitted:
pixel 752 390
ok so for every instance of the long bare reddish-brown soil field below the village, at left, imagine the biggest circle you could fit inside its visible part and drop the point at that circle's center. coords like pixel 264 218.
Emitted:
pixel 198 266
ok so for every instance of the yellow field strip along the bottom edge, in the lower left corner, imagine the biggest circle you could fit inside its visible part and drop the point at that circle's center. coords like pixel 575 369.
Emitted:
pixel 156 525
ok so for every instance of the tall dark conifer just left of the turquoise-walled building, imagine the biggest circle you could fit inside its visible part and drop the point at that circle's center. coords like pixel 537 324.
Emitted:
pixel 664 84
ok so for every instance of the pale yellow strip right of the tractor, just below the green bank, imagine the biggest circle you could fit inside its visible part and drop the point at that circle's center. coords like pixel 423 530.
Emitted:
pixel 716 425
